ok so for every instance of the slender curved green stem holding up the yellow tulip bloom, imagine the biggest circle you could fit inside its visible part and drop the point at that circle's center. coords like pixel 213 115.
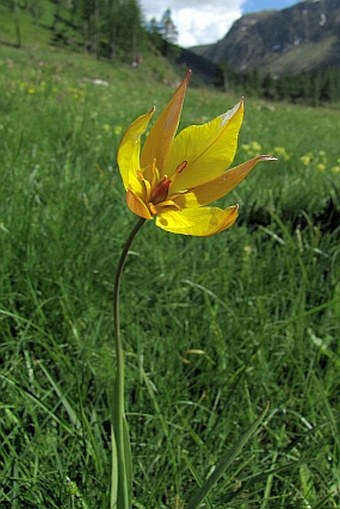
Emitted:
pixel 121 458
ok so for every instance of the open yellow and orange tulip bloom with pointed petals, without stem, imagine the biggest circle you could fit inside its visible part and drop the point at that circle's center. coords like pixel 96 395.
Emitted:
pixel 172 177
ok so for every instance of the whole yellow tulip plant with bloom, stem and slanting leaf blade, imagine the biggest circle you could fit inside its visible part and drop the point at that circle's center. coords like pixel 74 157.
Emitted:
pixel 172 179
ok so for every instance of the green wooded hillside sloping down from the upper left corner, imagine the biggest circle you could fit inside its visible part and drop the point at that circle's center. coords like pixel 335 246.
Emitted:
pixel 51 27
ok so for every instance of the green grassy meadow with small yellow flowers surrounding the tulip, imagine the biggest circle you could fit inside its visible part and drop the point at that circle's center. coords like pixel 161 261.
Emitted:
pixel 213 327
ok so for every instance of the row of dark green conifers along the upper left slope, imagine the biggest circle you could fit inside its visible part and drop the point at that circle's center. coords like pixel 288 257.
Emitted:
pixel 104 28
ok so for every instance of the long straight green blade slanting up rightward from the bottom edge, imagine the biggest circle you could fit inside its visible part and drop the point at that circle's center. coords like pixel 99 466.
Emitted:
pixel 225 462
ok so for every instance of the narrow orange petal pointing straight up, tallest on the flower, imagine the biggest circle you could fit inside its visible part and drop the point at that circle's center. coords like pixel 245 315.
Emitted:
pixel 163 131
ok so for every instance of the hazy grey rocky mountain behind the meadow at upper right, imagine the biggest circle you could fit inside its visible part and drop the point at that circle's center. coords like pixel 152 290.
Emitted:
pixel 304 37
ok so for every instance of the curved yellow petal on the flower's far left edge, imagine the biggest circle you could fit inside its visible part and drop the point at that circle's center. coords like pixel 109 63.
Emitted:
pixel 129 150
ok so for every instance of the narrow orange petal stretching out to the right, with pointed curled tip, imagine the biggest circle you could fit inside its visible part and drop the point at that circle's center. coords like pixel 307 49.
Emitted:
pixel 220 186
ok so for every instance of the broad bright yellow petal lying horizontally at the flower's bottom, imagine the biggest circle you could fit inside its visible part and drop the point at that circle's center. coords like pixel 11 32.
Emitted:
pixel 201 222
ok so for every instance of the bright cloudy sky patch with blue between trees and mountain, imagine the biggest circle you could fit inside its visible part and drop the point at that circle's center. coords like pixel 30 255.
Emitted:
pixel 206 21
